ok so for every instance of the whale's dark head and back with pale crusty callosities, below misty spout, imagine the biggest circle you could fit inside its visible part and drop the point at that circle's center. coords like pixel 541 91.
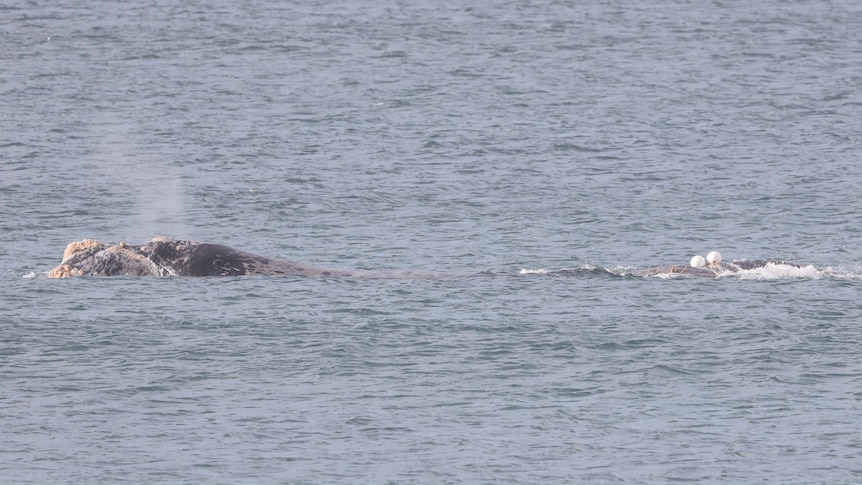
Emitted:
pixel 170 257
